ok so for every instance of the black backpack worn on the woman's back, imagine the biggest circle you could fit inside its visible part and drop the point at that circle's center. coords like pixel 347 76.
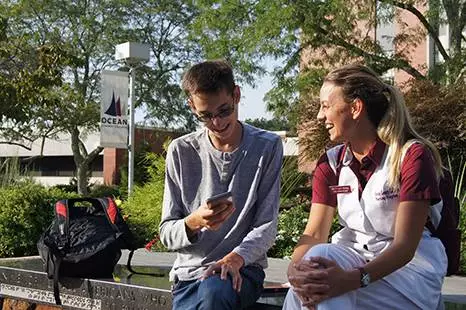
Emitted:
pixel 448 231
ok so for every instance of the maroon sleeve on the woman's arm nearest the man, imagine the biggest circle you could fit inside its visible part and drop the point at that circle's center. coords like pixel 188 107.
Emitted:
pixel 323 178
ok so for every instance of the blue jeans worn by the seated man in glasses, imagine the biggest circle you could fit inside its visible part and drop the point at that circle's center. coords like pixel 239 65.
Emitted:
pixel 214 293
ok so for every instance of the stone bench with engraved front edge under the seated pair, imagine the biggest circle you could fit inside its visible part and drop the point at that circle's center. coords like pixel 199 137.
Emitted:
pixel 29 282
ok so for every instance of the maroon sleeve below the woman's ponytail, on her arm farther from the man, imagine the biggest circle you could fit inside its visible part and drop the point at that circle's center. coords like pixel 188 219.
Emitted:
pixel 418 178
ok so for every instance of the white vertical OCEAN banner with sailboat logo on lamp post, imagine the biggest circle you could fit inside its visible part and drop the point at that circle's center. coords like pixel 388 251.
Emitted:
pixel 114 118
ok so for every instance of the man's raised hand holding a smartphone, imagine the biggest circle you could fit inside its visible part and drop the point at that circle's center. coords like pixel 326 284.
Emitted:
pixel 210 215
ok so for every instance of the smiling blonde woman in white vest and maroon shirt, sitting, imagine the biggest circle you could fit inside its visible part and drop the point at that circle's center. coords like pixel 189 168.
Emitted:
pixel 383 182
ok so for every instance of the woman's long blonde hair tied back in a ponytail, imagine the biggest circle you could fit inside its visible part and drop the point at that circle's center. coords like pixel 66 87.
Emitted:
pixel 386 110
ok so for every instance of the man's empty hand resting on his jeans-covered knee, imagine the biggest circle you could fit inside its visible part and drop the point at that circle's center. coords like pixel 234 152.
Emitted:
pixel 230 264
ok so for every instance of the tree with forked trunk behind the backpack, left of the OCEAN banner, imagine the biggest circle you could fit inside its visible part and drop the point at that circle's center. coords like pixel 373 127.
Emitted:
pixel 86 31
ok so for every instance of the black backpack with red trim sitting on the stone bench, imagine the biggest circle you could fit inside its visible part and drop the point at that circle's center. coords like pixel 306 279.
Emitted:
pixel 84 241
